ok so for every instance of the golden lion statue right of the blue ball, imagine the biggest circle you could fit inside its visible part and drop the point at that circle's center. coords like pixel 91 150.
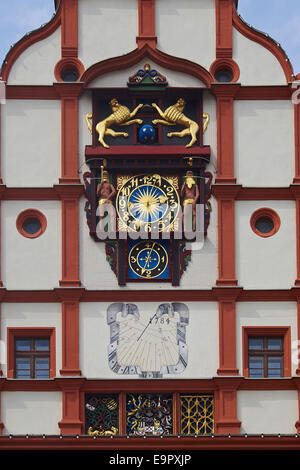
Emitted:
pixel 174 115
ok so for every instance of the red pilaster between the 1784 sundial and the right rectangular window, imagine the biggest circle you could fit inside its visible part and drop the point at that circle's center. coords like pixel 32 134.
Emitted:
pixel 227 329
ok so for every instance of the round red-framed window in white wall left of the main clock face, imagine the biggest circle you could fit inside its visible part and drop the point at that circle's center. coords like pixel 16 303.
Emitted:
pixel 31 223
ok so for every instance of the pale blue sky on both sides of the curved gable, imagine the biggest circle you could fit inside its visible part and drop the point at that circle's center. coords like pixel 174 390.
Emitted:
pixel 279 18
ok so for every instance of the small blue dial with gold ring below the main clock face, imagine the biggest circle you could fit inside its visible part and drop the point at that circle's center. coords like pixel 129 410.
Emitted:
pixel 148 259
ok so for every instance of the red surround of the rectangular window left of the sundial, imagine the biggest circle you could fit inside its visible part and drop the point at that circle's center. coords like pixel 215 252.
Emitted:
pixel 12 333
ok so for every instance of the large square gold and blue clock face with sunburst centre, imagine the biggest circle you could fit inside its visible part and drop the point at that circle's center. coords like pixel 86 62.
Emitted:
pixel 147 202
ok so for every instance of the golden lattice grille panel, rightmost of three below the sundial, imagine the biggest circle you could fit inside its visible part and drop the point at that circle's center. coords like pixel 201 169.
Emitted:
pixel 197 414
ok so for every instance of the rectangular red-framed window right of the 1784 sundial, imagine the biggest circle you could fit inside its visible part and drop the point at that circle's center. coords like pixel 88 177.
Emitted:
pixel 267 352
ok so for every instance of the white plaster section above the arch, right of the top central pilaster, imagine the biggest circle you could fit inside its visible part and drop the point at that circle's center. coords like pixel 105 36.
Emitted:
pixel 187 29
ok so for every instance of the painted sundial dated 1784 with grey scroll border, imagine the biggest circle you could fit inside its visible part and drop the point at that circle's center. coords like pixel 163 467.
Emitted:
pixel 149 345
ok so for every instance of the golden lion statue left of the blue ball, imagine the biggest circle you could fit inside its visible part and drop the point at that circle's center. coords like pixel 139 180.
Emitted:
pixel 121 116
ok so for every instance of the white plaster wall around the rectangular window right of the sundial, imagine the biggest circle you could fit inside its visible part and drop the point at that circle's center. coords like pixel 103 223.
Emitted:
pixel 265 314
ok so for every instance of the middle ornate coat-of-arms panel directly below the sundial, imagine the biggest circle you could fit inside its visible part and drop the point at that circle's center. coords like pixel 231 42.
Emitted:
pixel 149 414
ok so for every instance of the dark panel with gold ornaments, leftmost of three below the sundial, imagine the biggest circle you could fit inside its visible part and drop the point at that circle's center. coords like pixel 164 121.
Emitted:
pixel 101 414
